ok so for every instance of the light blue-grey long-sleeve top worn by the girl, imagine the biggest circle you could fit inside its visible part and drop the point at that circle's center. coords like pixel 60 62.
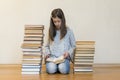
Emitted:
pixel 59 47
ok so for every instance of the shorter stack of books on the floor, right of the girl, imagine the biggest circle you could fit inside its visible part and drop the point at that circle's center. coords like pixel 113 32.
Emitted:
pixel 84 56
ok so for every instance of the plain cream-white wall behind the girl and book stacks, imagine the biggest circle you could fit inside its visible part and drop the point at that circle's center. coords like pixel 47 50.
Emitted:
pixel 97 20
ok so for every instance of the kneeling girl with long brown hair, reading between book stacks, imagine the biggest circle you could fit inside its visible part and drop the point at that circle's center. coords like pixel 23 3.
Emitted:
pixel 61 42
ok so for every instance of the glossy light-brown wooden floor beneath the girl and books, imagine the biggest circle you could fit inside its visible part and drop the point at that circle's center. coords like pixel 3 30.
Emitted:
pixel 13 72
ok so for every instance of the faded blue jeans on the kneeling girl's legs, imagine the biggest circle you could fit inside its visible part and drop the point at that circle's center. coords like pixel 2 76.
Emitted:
pixel 63 68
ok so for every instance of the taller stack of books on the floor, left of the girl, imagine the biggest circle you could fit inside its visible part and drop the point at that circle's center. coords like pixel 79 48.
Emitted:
pixel 32 49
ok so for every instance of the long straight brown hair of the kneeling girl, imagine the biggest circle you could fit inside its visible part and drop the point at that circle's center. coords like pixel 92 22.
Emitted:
pixel 52 30
